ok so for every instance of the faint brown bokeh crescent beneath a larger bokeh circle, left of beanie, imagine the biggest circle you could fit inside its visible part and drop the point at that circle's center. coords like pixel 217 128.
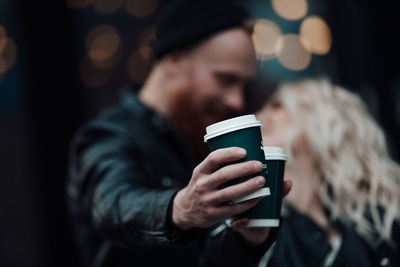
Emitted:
pixel 91 76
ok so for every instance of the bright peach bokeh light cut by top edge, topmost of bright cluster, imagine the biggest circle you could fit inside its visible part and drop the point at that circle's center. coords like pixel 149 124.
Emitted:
pixel 290 9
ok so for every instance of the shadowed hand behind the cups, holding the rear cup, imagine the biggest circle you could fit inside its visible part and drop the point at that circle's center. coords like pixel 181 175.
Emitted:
pixel 257 235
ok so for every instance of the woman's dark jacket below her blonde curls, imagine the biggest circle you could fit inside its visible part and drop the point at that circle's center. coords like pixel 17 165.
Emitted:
pixel 302 243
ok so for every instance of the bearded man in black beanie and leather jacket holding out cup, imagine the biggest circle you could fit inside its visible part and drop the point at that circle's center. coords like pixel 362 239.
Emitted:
pixel 137 196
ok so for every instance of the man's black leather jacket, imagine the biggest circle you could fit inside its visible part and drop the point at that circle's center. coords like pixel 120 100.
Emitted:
pixel 125 168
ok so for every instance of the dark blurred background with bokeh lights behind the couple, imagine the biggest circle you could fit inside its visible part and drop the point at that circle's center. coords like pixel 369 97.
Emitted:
pixel 62 62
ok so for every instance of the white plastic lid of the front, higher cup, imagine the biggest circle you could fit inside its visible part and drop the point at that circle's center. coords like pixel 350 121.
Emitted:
pixel 231 125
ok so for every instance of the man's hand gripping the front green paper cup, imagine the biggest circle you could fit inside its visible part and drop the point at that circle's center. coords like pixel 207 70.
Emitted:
pixel 203 202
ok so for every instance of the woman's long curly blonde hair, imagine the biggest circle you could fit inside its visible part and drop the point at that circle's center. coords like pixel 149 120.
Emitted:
pixel 357 180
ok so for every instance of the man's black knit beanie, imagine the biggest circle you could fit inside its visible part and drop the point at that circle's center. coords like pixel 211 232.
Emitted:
pixel 185 22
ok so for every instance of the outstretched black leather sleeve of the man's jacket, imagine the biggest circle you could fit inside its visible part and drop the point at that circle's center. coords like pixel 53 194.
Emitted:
pixel 106 163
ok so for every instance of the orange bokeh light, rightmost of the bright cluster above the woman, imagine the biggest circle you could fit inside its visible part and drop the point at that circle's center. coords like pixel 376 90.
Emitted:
pixel 316 35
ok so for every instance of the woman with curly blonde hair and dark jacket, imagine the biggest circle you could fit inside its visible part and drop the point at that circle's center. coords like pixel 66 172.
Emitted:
pixel 344 206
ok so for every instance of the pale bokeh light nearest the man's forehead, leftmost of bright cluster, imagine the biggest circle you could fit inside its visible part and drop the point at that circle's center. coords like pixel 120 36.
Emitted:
pixel 265 35
